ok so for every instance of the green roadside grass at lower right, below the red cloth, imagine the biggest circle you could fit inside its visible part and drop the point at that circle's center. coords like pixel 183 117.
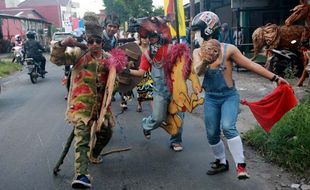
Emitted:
pixel 288 143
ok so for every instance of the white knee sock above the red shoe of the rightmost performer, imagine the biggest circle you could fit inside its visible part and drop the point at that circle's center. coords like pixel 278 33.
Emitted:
pixel 236 149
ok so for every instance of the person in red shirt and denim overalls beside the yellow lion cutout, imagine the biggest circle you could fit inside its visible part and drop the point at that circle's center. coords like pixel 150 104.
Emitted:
pixel 154 60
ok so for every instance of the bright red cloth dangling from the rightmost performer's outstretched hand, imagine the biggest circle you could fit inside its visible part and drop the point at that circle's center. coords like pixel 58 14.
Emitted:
pixel 272 107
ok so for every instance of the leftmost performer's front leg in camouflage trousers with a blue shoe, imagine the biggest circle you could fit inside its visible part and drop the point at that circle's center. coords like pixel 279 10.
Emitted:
pixel 82 137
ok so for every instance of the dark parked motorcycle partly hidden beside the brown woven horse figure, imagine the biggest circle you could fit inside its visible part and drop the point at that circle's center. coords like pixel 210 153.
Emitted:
pixel 285 63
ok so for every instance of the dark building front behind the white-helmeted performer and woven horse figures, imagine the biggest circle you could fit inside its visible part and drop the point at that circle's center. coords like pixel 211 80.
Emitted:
pixel 246 14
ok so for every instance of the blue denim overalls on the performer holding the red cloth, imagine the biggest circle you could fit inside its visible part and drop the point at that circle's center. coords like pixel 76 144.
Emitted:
pixel 221 104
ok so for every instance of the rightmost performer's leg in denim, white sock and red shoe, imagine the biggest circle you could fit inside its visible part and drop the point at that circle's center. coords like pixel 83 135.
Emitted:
pixel 229 118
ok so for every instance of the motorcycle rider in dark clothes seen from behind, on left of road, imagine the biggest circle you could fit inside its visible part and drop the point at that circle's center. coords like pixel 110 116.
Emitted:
pixel 33 49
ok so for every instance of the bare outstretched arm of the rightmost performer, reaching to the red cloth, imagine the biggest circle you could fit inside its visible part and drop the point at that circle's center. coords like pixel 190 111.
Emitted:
pixel 243 61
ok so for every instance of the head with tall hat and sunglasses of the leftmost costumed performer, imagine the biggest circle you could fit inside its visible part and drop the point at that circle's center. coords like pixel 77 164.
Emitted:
pixel 93 32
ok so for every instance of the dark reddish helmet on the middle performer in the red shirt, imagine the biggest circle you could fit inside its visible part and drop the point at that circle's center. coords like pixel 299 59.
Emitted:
pixel 152 26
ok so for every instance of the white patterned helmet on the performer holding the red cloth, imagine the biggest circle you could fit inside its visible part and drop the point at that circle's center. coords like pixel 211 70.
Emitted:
pixel 208 23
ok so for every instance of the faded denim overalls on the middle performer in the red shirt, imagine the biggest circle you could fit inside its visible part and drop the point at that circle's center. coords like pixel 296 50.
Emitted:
pixel 161 100
